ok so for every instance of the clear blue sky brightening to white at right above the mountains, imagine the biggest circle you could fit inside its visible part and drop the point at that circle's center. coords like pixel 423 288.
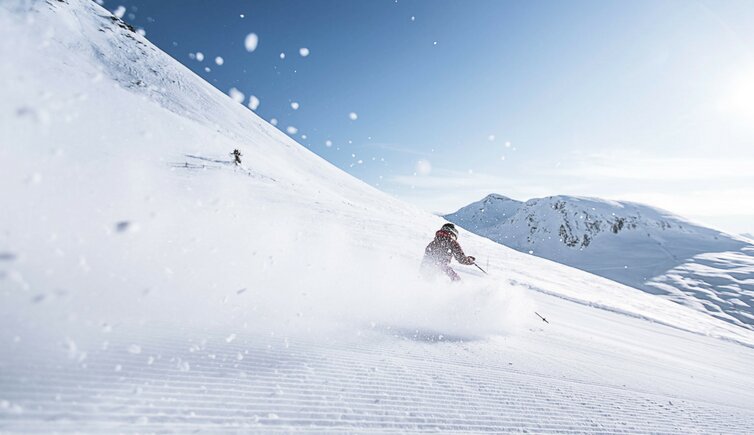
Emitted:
pixel 651 101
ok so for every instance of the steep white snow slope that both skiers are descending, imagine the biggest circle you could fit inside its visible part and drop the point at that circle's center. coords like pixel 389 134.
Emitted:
pixel 146 284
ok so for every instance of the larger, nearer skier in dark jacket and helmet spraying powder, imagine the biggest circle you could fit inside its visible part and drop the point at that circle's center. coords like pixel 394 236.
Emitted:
pixel 439 252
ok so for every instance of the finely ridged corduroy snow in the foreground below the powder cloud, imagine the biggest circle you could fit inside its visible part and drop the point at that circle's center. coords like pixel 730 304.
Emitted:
pixel 401 381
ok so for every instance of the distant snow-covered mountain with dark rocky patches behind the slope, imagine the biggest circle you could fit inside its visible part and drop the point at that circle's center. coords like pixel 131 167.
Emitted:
pixel 634 244
